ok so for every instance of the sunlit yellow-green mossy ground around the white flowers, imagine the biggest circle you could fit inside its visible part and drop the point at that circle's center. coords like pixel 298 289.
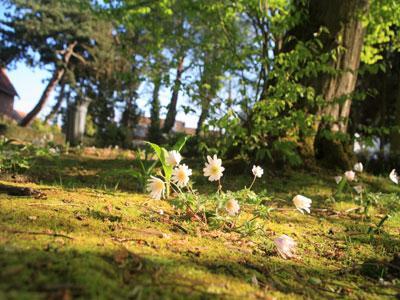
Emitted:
pixel 113 243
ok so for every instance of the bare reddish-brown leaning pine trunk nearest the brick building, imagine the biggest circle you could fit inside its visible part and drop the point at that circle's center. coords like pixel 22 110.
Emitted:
pixel 58 74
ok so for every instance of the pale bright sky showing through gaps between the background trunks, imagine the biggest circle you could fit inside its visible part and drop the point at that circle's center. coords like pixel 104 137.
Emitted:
pixel 30 83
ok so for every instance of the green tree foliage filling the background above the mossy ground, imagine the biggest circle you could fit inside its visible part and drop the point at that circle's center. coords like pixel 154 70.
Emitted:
pixel 254 71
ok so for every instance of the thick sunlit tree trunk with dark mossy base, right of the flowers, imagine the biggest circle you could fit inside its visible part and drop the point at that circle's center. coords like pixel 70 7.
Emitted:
pixel 337 89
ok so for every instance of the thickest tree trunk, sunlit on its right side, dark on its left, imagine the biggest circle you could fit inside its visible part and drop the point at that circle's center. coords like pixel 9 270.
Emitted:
pixel 343 19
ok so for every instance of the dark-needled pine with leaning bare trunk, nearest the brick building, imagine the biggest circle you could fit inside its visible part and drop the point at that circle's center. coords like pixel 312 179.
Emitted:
pixel 47 33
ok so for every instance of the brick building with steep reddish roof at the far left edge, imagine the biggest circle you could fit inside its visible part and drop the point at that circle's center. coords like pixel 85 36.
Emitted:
pixel 7 96
